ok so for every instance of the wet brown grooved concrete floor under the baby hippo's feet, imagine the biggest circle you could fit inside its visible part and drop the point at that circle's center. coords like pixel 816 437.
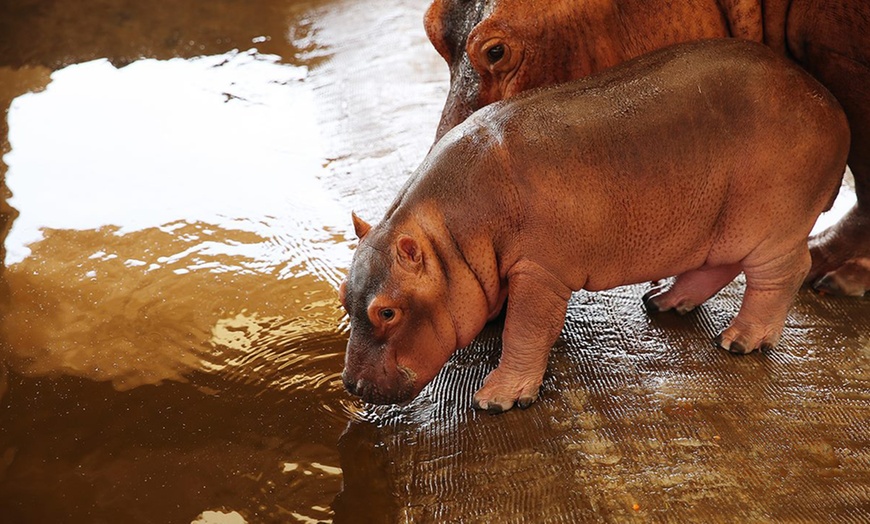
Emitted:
pixel 642 419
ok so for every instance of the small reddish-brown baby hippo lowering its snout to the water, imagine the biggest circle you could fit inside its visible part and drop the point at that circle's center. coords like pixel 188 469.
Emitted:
pixel 700 160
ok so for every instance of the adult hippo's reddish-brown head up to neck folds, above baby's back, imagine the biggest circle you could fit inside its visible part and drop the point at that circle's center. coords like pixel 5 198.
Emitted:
pixel 498 48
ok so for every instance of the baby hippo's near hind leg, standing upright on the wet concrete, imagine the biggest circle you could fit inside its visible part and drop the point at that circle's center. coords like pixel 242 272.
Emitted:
pixel 772 279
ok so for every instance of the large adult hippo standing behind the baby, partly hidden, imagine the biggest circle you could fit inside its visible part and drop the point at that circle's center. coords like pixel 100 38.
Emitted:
pixel 497 48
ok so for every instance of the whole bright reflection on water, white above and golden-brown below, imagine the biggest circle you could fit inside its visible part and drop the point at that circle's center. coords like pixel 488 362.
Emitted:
pixel 162 200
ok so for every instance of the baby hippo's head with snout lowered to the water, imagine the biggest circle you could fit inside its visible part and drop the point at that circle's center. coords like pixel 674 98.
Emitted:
pixel 401 333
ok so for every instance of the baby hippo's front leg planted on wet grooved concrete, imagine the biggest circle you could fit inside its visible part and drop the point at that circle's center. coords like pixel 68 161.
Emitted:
pixel 537 303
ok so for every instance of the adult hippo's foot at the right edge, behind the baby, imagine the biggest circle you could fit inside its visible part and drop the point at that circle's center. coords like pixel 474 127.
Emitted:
pixel 841 256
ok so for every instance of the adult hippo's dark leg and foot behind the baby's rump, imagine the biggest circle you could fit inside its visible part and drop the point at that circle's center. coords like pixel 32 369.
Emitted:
pixel 831 39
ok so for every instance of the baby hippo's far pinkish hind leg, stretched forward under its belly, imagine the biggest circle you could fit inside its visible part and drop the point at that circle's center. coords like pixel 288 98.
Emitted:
pixel 690 289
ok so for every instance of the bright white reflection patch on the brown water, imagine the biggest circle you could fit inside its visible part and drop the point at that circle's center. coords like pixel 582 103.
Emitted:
pixel 212 139
